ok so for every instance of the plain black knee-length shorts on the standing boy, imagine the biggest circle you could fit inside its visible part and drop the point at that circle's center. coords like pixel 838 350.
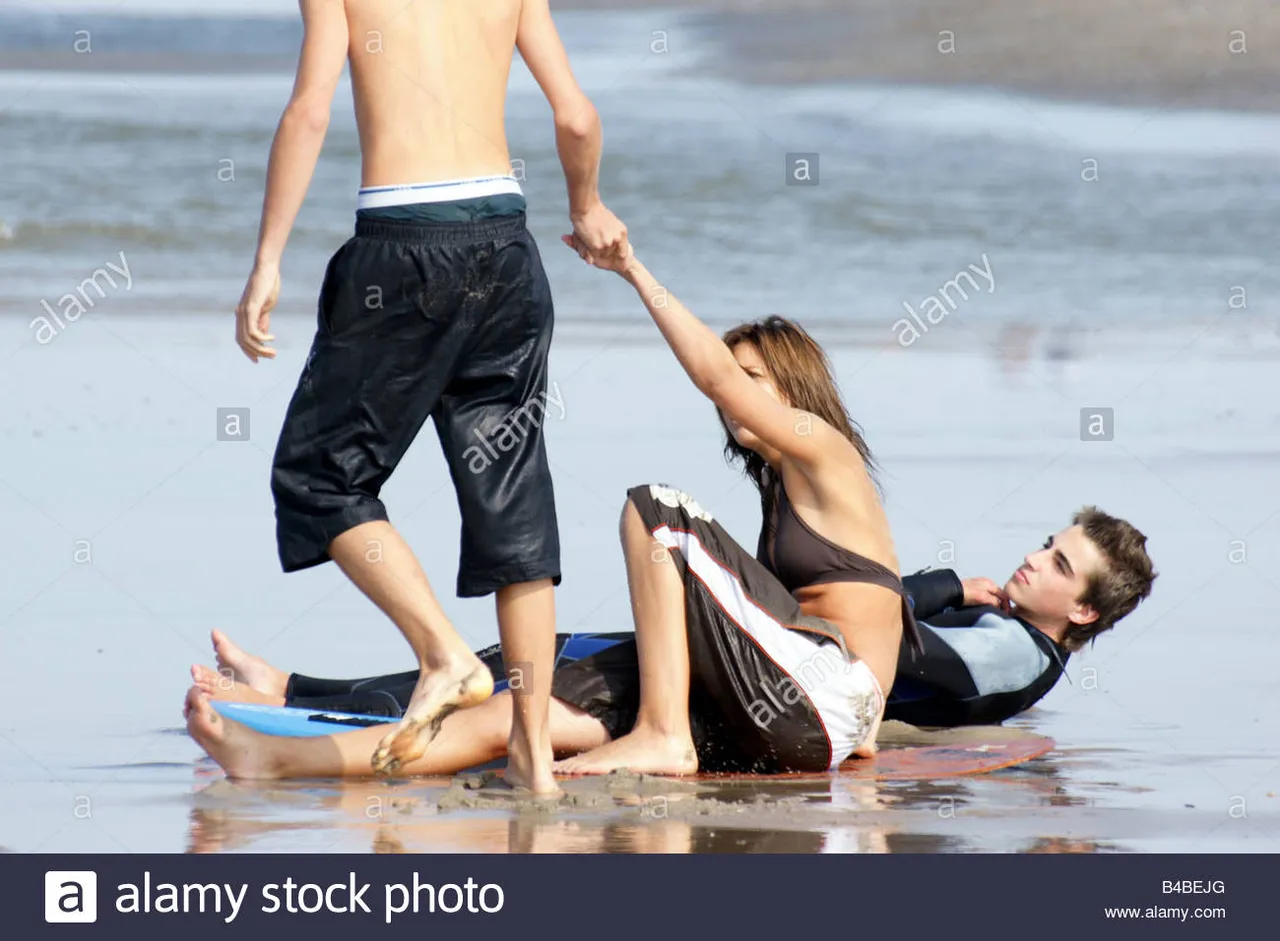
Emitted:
pixel 451 321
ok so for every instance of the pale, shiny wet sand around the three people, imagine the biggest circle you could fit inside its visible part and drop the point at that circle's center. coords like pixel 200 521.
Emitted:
pixel 116 438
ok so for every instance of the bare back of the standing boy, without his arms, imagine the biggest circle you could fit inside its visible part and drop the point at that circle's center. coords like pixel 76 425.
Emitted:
pixel 431 89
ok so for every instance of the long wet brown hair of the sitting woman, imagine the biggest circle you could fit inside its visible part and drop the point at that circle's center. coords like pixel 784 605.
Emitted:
pixel 802 373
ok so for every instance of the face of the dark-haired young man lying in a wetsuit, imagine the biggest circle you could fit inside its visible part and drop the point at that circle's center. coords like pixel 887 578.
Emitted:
pixel 1054 578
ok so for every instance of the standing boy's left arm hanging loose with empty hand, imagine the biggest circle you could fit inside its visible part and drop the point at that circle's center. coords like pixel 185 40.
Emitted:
pixel 295 152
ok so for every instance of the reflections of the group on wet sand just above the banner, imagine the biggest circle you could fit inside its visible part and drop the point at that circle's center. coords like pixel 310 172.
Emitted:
pixel 644 815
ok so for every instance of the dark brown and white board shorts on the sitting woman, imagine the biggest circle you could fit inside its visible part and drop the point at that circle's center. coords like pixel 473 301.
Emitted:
pixel 771 689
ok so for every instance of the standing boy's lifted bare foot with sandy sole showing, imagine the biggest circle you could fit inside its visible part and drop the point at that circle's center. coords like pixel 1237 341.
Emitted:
pixel 438 695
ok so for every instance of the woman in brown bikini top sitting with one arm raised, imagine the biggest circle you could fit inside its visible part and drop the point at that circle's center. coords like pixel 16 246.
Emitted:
pixel 770 664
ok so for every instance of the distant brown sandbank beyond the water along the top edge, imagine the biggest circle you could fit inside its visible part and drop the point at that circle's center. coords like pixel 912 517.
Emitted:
pixel 1165 54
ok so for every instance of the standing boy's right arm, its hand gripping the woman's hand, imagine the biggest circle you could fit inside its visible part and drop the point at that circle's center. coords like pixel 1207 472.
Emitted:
pixel 579 138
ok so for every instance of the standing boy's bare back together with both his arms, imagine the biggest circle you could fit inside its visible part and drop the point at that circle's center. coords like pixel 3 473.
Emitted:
pixel 429 80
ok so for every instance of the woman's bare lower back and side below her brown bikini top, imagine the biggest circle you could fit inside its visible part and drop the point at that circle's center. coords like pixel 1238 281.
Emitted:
pixel 868 616
